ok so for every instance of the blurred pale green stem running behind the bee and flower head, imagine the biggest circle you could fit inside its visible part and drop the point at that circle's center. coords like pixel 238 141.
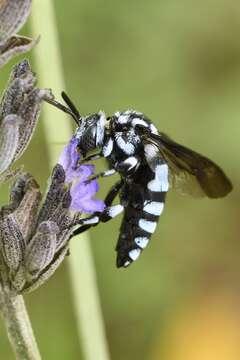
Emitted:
pixel 58 131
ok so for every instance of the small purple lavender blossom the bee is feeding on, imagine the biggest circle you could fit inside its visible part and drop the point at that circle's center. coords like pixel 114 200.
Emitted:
pixel 81 191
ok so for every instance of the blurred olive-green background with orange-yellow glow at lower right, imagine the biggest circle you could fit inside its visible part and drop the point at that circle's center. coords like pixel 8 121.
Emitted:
pixel 178 62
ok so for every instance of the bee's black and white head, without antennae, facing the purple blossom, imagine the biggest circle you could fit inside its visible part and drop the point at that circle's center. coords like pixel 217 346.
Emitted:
pixel 90 132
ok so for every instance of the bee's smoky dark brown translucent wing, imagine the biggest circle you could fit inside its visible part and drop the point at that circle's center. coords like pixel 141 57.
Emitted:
pixel 190 172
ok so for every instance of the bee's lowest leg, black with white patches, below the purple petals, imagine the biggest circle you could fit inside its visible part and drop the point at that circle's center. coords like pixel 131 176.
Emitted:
pixel 108 213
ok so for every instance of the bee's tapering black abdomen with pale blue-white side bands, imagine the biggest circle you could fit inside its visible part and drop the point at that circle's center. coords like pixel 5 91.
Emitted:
pixel 142 210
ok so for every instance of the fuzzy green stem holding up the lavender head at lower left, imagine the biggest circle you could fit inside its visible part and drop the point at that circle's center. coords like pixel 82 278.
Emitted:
pixel 18 326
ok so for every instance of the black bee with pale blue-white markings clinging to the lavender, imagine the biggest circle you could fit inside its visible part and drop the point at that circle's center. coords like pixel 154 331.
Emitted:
pixel 149 163
